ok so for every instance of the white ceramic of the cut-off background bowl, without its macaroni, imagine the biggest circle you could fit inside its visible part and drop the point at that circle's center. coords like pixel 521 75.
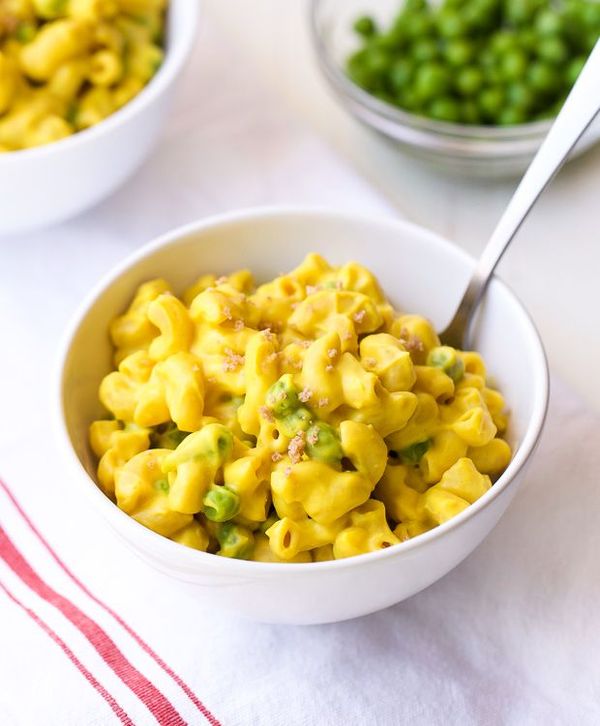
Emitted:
pixel 51 183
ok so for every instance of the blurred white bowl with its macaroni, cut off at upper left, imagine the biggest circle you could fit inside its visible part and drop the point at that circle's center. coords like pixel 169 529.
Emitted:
pixel 52 166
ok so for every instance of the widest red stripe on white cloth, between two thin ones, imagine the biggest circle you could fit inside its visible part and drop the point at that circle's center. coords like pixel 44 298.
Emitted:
pixel 162 709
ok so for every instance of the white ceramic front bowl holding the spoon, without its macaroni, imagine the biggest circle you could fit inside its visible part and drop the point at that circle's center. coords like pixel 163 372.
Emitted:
pixel 420 272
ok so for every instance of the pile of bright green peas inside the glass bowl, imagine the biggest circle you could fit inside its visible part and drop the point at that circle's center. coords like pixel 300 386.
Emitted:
pixel 491 62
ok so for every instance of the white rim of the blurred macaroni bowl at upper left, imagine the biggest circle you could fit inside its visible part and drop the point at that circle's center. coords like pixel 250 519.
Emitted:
pixel 175 56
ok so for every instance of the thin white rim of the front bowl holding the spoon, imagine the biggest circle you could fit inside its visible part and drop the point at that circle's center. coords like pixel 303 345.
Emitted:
pixel 189 557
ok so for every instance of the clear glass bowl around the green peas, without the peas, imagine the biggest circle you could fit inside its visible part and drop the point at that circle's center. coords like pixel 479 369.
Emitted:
pixel 477 151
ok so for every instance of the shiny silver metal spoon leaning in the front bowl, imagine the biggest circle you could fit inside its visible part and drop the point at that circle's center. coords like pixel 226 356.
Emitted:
pixel 578 112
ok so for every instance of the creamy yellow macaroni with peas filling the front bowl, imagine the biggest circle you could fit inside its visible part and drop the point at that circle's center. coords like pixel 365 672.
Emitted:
pixel 301 420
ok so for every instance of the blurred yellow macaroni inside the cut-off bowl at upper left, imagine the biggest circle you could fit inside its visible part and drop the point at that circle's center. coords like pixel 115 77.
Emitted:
pixel 67 64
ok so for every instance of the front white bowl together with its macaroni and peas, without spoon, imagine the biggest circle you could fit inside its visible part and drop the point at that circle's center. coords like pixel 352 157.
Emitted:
pixel 306 436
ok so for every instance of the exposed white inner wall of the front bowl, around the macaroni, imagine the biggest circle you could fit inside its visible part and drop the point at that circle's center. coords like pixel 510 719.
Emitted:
pixel 419 272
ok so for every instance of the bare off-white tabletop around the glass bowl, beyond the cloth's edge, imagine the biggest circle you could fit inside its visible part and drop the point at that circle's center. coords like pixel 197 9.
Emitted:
pixel 553 265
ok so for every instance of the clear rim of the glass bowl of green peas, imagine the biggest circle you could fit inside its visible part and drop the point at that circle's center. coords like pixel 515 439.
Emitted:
pixel 479 136
